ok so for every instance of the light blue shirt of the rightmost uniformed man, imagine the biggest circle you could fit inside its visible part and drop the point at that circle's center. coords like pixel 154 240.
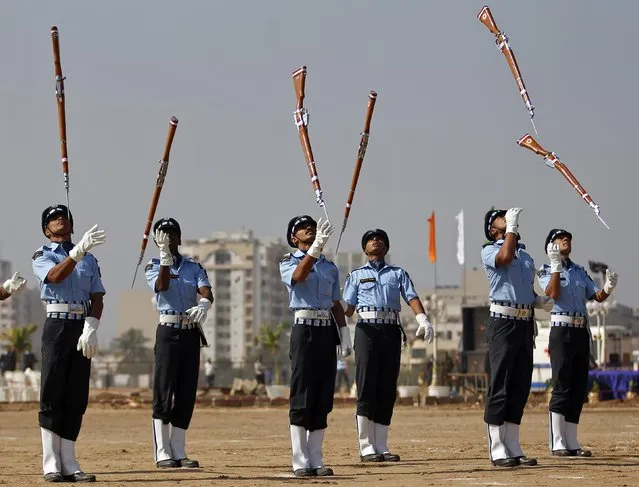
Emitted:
pixel 577 287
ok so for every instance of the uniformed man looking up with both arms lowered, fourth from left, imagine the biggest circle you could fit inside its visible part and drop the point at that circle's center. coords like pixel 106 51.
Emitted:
pixel 374 290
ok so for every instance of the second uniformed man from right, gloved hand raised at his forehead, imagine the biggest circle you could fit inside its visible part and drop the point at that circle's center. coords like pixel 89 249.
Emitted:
pixel 509 334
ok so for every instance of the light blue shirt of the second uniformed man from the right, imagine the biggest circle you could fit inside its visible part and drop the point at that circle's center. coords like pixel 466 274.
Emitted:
pixel 514 283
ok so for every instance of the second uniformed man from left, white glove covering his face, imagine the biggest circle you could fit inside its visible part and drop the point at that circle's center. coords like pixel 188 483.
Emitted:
pixel 177 281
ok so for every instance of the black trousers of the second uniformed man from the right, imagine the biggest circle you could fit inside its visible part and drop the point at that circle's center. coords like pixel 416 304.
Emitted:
pixel 510 351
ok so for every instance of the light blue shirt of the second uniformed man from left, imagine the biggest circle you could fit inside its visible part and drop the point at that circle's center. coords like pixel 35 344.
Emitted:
pixel 187 276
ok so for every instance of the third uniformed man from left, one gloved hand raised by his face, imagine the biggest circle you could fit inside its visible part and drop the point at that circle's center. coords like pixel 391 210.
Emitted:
pixel 314 292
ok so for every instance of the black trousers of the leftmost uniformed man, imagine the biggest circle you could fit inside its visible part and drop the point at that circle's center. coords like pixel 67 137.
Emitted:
pixel 64 385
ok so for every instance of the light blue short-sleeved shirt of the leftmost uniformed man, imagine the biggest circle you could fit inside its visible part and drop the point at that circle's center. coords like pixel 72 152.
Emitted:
pixel 83 281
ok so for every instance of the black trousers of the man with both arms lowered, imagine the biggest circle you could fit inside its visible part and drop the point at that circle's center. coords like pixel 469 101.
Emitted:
pixel 377 357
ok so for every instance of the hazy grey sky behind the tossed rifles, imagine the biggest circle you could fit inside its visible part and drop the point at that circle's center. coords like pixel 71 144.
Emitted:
pixel 443 135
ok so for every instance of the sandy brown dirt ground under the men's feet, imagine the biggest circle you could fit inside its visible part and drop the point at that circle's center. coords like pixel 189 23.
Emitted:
pixel 439 445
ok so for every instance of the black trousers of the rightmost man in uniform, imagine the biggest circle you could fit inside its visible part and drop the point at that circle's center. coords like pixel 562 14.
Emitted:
pixel 569 357
